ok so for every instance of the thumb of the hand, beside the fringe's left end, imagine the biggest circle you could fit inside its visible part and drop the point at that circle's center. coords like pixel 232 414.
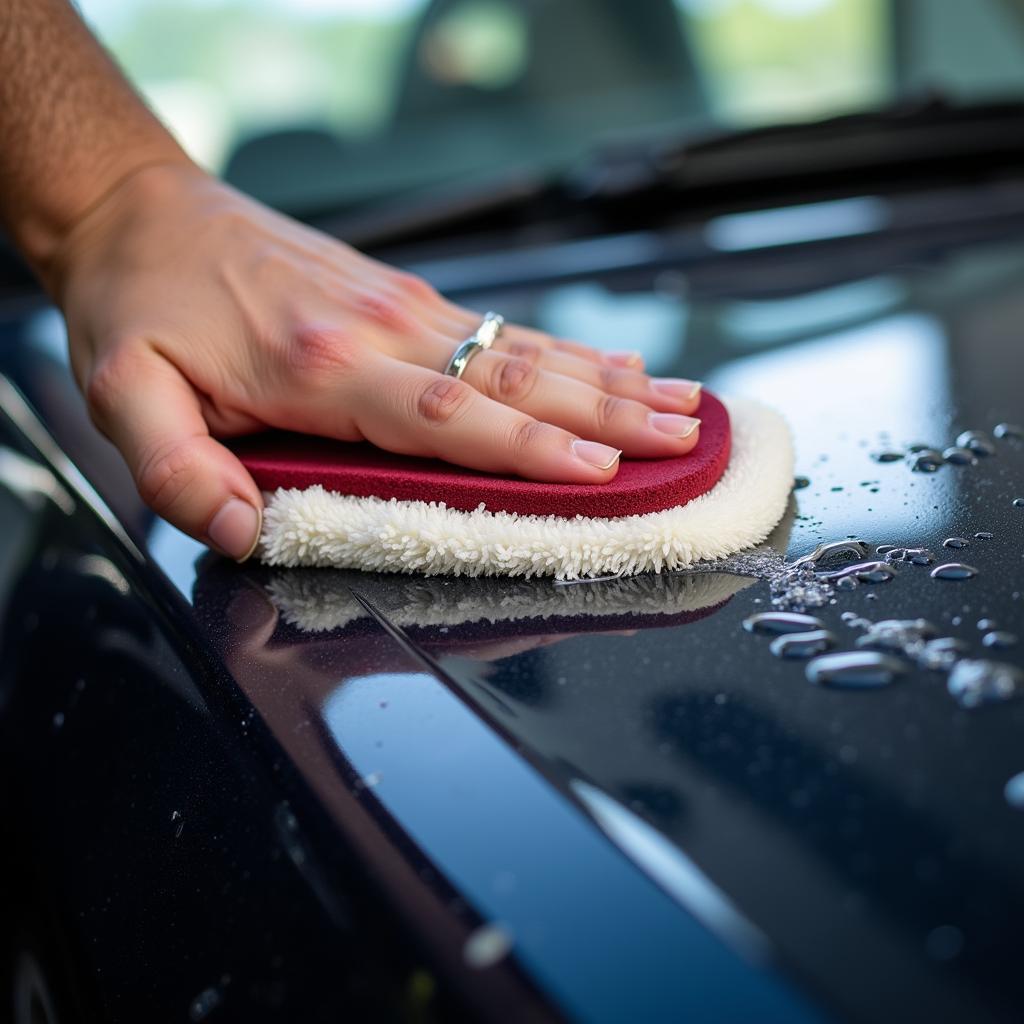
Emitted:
pixel 153 415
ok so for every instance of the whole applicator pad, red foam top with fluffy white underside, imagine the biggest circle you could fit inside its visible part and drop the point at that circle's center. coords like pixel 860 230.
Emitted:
pixel 354 506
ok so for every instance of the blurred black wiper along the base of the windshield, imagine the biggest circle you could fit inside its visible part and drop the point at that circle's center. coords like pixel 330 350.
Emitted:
pixel 930 140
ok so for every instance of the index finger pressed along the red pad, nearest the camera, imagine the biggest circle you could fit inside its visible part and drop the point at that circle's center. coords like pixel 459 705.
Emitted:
pixel 415 411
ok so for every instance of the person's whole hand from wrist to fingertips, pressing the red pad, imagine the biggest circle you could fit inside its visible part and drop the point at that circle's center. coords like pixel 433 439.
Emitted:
pixel 195 314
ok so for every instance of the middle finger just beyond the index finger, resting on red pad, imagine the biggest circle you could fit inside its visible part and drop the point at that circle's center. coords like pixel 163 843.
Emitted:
pixel 566 402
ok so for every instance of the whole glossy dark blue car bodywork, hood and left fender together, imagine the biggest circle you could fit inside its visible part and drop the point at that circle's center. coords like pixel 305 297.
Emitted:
pixel 211 814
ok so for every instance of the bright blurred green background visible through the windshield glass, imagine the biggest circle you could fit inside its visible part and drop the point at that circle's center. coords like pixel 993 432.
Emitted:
pixel 221 70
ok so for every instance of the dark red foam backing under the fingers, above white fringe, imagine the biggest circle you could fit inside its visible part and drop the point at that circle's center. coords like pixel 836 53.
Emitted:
pixel 642 486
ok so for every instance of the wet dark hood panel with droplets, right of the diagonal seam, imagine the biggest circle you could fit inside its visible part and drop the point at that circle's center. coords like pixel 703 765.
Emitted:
pixel 874 814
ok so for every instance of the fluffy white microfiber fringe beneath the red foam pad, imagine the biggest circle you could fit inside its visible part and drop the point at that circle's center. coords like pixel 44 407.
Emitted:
pixel 315 527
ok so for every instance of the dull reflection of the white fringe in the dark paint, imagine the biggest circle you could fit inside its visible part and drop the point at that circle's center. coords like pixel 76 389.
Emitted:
pixel 319 603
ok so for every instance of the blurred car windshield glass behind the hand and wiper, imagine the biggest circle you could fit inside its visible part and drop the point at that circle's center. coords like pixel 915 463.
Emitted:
pixel 317 105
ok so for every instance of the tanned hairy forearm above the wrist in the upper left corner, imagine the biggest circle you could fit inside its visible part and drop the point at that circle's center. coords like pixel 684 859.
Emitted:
pixel 71 127
